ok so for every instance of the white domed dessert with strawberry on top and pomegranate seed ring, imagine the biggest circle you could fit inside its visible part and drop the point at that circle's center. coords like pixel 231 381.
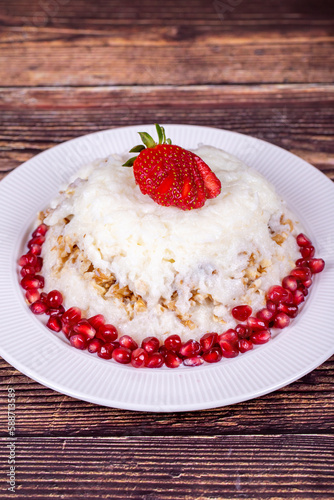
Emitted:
pixel 188 257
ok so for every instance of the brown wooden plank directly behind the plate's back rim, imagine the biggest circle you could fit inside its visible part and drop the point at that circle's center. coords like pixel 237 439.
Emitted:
pixel 296 117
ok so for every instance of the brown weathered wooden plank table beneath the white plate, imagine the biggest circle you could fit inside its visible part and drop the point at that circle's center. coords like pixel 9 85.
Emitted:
pixel 262 68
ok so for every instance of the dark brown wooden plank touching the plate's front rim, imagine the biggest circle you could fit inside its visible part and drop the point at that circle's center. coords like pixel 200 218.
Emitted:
pixel 305 406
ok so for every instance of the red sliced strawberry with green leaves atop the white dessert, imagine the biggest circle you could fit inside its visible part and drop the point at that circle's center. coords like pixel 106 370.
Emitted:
pixel 171 175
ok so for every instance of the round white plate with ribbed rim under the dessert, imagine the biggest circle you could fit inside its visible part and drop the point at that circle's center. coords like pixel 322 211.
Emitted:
pixel 45 357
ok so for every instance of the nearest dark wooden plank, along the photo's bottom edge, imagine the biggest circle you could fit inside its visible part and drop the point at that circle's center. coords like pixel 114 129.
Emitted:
pixel 191 468
